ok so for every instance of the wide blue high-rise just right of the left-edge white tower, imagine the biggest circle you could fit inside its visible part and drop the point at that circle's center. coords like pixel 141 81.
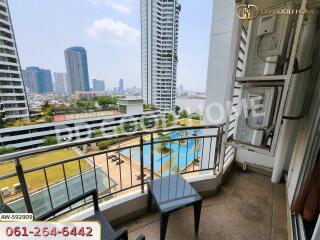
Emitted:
pixel 38 80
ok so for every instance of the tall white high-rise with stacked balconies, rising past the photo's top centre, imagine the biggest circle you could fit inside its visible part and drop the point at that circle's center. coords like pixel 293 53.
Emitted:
pixel 159 52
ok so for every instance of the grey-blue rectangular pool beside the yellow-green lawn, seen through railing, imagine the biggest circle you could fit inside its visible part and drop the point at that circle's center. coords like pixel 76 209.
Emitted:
pixel 41 202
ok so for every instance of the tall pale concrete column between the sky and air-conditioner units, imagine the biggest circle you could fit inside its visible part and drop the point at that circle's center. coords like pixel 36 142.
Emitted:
pixel 221 67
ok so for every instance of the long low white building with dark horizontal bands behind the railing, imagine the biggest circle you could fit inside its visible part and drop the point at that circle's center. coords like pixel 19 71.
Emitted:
pixel 30 137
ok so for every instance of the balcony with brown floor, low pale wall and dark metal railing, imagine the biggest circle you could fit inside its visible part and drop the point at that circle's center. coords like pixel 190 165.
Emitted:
pixel 120 174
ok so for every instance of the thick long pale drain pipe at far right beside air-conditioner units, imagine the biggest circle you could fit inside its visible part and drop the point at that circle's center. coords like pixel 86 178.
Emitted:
pixel 295 100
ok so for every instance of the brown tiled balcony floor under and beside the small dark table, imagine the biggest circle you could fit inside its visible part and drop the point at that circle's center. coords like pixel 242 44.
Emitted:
pixel 248 206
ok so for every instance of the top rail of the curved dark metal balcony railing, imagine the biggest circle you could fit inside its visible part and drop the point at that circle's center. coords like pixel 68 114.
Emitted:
pixel 24 153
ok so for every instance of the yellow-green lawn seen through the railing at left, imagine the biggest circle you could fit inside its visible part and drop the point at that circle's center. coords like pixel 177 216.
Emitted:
pixel 36 180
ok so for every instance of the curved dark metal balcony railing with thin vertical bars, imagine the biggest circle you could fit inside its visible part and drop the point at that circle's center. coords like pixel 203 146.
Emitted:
pixel 134 160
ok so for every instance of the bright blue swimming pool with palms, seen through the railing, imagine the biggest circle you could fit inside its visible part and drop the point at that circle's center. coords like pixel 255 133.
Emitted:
pixel 181 156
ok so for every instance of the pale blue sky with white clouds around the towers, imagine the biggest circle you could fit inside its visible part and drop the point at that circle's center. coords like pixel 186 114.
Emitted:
pixel 110 32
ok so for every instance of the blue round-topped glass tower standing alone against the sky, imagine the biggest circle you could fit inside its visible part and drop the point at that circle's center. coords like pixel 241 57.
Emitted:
pixel 77 70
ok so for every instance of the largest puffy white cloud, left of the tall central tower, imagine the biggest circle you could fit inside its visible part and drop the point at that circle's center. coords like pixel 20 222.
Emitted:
pixel 114 32
